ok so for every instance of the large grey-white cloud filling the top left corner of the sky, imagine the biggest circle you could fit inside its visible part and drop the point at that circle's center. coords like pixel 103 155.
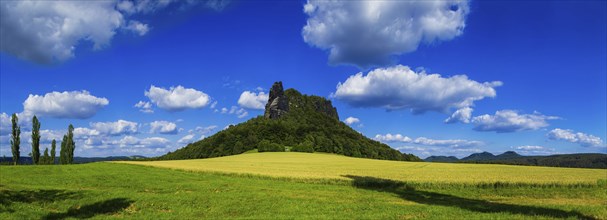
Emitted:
pixel 50 31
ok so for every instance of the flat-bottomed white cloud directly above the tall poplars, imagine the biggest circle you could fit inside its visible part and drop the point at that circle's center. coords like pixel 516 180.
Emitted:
pixel 74 104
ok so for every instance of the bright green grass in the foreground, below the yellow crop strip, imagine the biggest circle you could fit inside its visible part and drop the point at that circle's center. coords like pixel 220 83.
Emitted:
pixel 112 190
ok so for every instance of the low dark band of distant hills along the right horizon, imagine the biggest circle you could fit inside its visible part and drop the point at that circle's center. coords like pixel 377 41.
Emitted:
pixel 590 160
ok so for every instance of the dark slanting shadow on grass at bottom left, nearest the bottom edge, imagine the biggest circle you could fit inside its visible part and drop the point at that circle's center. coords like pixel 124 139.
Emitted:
pixel 99 208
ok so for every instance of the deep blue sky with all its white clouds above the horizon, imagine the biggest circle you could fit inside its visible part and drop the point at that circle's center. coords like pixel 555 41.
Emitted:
pixel 439 78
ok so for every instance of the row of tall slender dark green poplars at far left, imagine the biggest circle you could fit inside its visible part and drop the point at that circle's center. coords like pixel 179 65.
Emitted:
pixel 66 154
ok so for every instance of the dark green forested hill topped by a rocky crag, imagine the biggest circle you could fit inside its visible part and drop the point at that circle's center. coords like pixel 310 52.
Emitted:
pixel 292 122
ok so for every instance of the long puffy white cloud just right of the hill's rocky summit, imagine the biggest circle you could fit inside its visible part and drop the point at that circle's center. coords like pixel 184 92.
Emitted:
pixel 399 87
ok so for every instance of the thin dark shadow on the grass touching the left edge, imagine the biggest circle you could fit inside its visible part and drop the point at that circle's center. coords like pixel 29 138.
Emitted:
pixel 8 197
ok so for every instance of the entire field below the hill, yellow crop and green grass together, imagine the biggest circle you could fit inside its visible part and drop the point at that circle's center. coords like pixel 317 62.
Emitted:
pixel 297 185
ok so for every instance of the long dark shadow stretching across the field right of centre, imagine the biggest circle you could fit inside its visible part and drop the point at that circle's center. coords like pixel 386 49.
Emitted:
pixel 409 193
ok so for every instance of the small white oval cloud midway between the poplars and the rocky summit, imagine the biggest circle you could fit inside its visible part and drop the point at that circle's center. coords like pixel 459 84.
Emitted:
pixel 177 98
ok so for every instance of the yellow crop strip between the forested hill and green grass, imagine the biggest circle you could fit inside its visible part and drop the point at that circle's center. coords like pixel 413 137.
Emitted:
pixel 329 166
